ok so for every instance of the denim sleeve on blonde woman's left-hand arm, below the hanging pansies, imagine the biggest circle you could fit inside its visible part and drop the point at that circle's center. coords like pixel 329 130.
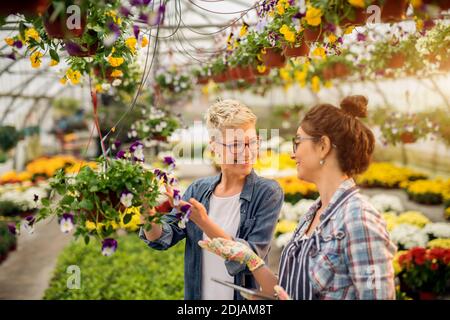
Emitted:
pixel 171 232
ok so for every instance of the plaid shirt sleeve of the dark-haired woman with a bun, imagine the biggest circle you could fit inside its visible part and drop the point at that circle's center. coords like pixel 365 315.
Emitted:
pixel 369 254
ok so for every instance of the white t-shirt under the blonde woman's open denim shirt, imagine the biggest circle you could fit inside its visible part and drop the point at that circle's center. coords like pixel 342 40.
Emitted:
pixel 226 213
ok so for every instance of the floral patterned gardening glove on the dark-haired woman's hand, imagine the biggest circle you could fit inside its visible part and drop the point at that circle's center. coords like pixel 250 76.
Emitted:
pixel 233 251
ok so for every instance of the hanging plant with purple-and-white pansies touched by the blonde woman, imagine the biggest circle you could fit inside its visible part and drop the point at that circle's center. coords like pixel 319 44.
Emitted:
pixel 96 202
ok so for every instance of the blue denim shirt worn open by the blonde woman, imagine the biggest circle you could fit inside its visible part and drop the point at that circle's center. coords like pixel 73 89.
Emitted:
pixel 261 200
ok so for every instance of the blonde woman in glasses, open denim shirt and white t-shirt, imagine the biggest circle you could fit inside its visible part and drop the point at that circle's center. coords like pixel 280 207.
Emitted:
pixel 237 205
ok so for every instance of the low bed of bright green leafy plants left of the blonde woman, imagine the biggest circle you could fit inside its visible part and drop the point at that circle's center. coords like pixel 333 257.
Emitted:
pixel 133 272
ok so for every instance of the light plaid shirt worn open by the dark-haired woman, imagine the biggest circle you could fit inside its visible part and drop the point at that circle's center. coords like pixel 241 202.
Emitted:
pixel 353 256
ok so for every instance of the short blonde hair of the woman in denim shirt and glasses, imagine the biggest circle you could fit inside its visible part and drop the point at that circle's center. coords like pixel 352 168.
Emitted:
pixel 228 114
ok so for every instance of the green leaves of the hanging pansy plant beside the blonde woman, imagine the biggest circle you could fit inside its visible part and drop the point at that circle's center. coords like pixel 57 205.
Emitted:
pixel 95 194
